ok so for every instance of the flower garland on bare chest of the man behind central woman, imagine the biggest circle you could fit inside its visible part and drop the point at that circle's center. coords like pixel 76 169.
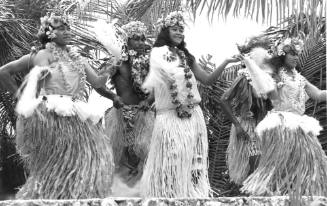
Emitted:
pixel 139 70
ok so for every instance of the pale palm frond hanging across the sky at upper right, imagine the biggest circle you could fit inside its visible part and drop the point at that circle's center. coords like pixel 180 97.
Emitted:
pixel 273 12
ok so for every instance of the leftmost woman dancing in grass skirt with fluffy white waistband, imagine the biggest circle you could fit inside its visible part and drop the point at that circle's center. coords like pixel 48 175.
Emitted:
pixel 66 154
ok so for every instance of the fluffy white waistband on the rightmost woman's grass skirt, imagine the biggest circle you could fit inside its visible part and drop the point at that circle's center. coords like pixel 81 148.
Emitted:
pixel 289 120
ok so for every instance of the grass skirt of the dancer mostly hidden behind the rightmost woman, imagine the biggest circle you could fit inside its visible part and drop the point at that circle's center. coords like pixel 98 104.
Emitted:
pixel 239 151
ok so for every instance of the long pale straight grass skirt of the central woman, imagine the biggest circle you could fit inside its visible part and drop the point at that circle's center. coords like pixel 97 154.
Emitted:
pixel 177 162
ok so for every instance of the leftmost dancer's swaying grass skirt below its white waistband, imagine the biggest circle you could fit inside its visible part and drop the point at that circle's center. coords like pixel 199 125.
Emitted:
pixel 66 158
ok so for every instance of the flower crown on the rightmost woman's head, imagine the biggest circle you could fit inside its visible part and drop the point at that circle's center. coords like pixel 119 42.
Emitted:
pixel 283 46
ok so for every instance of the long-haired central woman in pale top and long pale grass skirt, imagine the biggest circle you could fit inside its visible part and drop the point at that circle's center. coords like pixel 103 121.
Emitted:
pixel 177 162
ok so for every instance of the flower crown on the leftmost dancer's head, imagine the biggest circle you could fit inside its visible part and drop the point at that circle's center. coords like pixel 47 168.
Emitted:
pixel 51 22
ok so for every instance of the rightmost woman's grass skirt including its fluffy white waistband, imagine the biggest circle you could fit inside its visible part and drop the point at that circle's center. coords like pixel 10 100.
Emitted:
pixel 292 161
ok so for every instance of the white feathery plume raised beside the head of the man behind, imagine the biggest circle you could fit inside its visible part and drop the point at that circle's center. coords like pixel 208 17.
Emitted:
pixel 111 36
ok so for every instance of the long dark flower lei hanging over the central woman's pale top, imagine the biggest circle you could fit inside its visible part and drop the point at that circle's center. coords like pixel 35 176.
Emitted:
pixel 182 110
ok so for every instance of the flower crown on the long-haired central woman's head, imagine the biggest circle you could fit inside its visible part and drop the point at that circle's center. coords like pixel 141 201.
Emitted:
pixel 174 18
